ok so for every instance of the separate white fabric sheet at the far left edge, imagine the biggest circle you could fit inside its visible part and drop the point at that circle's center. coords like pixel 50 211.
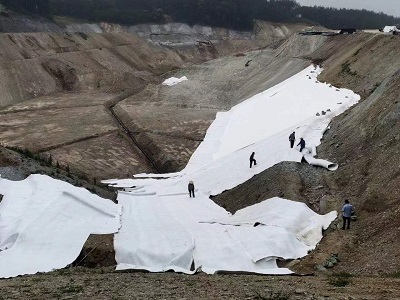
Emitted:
pixel 45 222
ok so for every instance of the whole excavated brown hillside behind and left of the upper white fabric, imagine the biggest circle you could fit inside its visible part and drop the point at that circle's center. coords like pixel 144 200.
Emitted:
pixel 60 90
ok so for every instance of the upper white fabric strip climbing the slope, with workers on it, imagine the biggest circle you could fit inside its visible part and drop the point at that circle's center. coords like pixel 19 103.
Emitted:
pixel 261 124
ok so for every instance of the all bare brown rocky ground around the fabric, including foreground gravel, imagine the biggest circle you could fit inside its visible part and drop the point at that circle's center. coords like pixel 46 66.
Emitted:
pixel 92 100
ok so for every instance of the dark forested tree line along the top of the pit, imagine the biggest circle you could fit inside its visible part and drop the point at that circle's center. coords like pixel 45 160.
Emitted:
pixel 235 14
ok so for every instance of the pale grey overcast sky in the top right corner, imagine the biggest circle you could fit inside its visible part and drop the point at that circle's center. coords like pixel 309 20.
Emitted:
pixel 390 7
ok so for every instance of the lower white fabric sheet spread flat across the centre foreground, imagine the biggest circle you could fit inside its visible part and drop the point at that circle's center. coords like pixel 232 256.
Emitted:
pixel 173 233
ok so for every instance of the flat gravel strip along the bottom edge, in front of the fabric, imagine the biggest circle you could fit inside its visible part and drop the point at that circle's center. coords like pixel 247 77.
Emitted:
pixel 105 284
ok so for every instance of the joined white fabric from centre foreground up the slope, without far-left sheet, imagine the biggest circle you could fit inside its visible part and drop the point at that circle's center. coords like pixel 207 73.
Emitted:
pixel 160 209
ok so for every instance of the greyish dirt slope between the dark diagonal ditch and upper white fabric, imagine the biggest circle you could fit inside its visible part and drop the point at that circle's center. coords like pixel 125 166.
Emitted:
pixel 185 111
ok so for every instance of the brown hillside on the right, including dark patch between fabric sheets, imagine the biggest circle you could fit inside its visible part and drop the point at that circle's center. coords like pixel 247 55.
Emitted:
pixel 365 142
